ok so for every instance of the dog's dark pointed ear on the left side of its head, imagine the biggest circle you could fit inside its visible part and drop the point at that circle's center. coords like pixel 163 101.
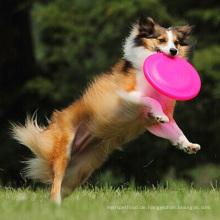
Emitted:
pixel 146 24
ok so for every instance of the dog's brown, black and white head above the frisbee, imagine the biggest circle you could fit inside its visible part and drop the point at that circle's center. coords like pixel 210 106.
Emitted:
pixel 148 37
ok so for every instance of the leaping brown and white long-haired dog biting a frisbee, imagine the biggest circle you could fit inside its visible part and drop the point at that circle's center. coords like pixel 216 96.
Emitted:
pixel 116 108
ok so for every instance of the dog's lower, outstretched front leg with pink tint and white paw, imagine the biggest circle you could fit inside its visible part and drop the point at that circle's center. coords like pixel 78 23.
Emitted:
pixel 172 132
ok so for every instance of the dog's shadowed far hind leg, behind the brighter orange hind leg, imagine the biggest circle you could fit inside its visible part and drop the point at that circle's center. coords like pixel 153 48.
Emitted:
pixel 85 156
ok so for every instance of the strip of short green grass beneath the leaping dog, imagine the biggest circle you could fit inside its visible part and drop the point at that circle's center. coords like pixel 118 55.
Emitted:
pixel 106 203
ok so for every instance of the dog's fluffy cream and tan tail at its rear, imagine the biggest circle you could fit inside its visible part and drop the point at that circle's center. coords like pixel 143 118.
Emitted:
pixel 40 143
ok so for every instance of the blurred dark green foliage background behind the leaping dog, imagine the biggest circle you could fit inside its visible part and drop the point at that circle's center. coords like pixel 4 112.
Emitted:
pixel 50 50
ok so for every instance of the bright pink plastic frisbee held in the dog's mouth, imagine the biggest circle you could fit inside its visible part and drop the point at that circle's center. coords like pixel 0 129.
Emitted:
pixel 172 76
